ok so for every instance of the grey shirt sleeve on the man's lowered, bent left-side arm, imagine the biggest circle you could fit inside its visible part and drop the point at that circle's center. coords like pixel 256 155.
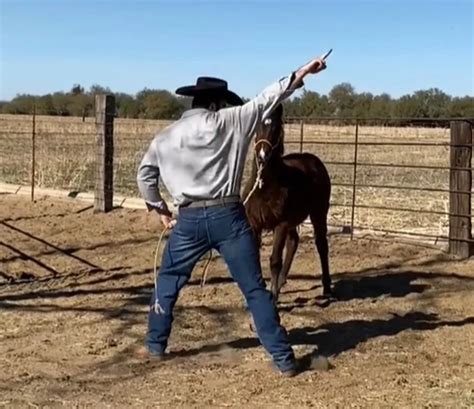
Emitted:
pixel 148 176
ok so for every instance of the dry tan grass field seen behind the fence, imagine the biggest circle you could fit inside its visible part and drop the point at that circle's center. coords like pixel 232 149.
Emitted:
pixel 66 154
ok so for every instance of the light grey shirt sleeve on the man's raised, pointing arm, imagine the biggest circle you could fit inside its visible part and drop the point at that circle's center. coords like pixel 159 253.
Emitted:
pixel 245 118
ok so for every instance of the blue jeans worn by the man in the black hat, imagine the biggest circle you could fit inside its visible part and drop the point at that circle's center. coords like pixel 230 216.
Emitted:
pixel 223 228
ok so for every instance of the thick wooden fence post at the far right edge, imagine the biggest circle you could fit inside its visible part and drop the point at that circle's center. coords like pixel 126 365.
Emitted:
pixel 460 185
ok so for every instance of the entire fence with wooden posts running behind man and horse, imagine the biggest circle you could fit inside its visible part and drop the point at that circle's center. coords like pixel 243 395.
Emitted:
pixel 411 181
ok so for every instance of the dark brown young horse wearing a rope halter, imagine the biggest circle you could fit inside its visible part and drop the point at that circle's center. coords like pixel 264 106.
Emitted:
pixel 293 187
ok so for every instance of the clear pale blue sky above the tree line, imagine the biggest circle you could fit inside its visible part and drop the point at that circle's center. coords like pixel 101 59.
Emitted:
pixel 379 46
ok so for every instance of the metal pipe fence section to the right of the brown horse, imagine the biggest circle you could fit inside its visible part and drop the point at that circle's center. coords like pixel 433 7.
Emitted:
pixel 367 182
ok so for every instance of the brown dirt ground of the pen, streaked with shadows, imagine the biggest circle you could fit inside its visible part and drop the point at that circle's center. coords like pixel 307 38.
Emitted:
pixel 74 290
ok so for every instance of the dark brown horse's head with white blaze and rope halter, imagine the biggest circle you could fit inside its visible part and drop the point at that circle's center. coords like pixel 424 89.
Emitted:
pixel 269 138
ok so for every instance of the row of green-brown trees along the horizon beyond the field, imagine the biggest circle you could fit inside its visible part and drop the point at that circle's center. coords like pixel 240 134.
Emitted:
pixel 341 102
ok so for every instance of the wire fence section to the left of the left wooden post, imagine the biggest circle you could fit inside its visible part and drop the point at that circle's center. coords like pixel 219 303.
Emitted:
pixel 47 151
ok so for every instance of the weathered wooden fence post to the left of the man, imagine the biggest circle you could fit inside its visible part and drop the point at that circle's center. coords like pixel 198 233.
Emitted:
pixel 104 117
